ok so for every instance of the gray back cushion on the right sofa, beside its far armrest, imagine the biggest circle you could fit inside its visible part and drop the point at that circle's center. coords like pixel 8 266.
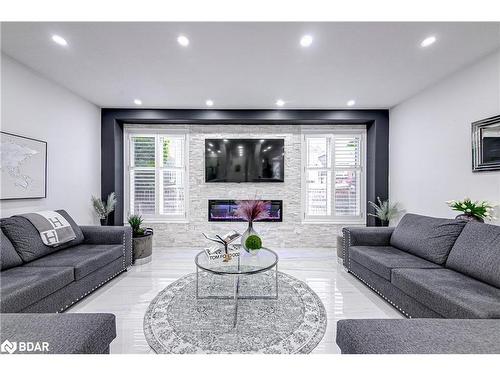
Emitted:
pixel 427 237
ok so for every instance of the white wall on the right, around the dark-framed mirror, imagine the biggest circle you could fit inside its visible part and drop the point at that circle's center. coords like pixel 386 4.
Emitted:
pixel 430 141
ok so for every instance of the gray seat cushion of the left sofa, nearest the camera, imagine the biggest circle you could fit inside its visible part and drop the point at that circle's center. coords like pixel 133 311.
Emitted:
pixel 23 286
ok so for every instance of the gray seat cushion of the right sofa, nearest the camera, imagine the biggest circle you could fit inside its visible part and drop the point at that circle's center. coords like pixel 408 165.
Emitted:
pixel 449 293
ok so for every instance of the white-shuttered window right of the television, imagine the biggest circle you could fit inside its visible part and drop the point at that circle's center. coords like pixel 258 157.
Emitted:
pixel 334 177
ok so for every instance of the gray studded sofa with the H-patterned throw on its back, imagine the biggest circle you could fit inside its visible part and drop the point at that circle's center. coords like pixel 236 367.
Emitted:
pixel 35 278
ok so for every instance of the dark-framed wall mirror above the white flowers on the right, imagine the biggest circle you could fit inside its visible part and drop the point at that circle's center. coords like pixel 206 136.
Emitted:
pixel 486 144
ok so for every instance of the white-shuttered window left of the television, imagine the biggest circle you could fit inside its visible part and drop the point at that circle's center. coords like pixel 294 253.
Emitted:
pixel 156 175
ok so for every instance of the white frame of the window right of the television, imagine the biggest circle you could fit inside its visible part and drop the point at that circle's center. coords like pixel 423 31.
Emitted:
pixel 331 133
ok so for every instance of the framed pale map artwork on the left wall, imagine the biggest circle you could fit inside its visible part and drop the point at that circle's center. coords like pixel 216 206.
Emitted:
pixel 23 167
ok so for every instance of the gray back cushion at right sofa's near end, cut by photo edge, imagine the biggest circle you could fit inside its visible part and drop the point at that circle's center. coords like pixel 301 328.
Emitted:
pixel 477 253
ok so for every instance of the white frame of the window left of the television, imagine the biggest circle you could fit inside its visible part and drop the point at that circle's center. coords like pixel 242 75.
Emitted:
pixel 156 132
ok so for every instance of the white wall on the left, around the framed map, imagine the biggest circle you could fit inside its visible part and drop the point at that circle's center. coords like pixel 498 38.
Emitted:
pixel 34 107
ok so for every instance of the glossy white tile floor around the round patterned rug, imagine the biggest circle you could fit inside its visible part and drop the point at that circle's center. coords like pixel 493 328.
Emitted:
pixel 129 295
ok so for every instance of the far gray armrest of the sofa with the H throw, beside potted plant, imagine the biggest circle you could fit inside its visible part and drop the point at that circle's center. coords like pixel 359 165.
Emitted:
pixel 109 235
